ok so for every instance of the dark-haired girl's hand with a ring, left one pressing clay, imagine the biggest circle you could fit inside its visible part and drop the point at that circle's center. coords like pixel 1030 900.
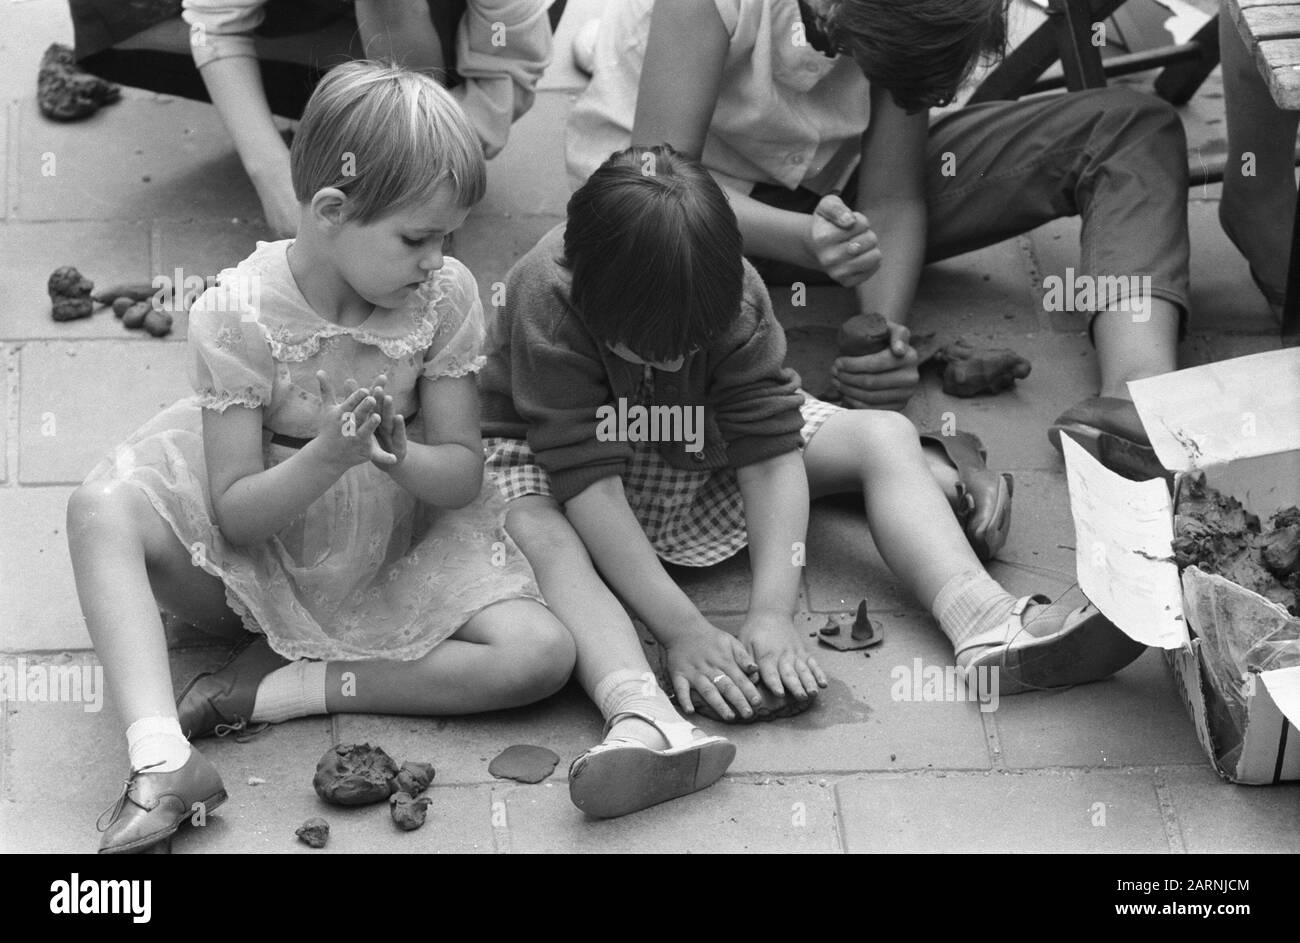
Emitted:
pixel 718 668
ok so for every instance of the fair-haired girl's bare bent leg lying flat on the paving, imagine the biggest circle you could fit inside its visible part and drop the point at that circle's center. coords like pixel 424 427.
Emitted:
pixel 512 654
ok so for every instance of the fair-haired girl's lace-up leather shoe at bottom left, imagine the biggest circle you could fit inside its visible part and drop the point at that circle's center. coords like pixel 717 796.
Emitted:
pixel 154 806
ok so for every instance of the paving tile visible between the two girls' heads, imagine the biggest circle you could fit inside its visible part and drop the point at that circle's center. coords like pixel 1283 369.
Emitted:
pixel 528 175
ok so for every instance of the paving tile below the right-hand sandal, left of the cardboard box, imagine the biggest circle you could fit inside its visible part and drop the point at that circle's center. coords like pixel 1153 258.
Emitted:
pixel 1136 719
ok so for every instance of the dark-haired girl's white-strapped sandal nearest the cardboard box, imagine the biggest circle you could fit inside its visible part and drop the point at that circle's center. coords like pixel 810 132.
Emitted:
pixel 1039 648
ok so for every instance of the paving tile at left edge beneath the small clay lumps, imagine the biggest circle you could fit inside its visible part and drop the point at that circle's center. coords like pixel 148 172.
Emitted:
pixel 106 253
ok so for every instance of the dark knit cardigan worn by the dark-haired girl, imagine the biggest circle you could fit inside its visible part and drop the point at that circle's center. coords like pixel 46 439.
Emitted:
pixel 547 377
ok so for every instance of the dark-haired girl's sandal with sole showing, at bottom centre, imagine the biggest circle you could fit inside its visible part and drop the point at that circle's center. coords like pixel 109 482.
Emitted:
pixel 623 776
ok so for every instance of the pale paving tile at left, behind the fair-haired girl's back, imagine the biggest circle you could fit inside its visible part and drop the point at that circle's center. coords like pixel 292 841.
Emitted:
pixel 73 413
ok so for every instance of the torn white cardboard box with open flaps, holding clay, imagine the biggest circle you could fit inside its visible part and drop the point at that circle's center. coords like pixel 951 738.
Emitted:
pixel 1238 422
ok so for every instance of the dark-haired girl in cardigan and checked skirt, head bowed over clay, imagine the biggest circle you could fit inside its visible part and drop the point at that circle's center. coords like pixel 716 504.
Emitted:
pixel 644 301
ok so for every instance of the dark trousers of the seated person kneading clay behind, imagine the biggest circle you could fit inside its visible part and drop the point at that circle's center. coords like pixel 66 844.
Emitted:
pixel 1113 157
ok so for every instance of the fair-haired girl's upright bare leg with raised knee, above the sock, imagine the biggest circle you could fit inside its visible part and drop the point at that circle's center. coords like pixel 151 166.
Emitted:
pixel 128 563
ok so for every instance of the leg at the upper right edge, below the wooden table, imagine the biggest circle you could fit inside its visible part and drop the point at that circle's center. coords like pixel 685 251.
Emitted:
pixel 1259 184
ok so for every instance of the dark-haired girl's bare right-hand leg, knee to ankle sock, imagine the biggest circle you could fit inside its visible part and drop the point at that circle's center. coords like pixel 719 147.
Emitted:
pixel 878 455
